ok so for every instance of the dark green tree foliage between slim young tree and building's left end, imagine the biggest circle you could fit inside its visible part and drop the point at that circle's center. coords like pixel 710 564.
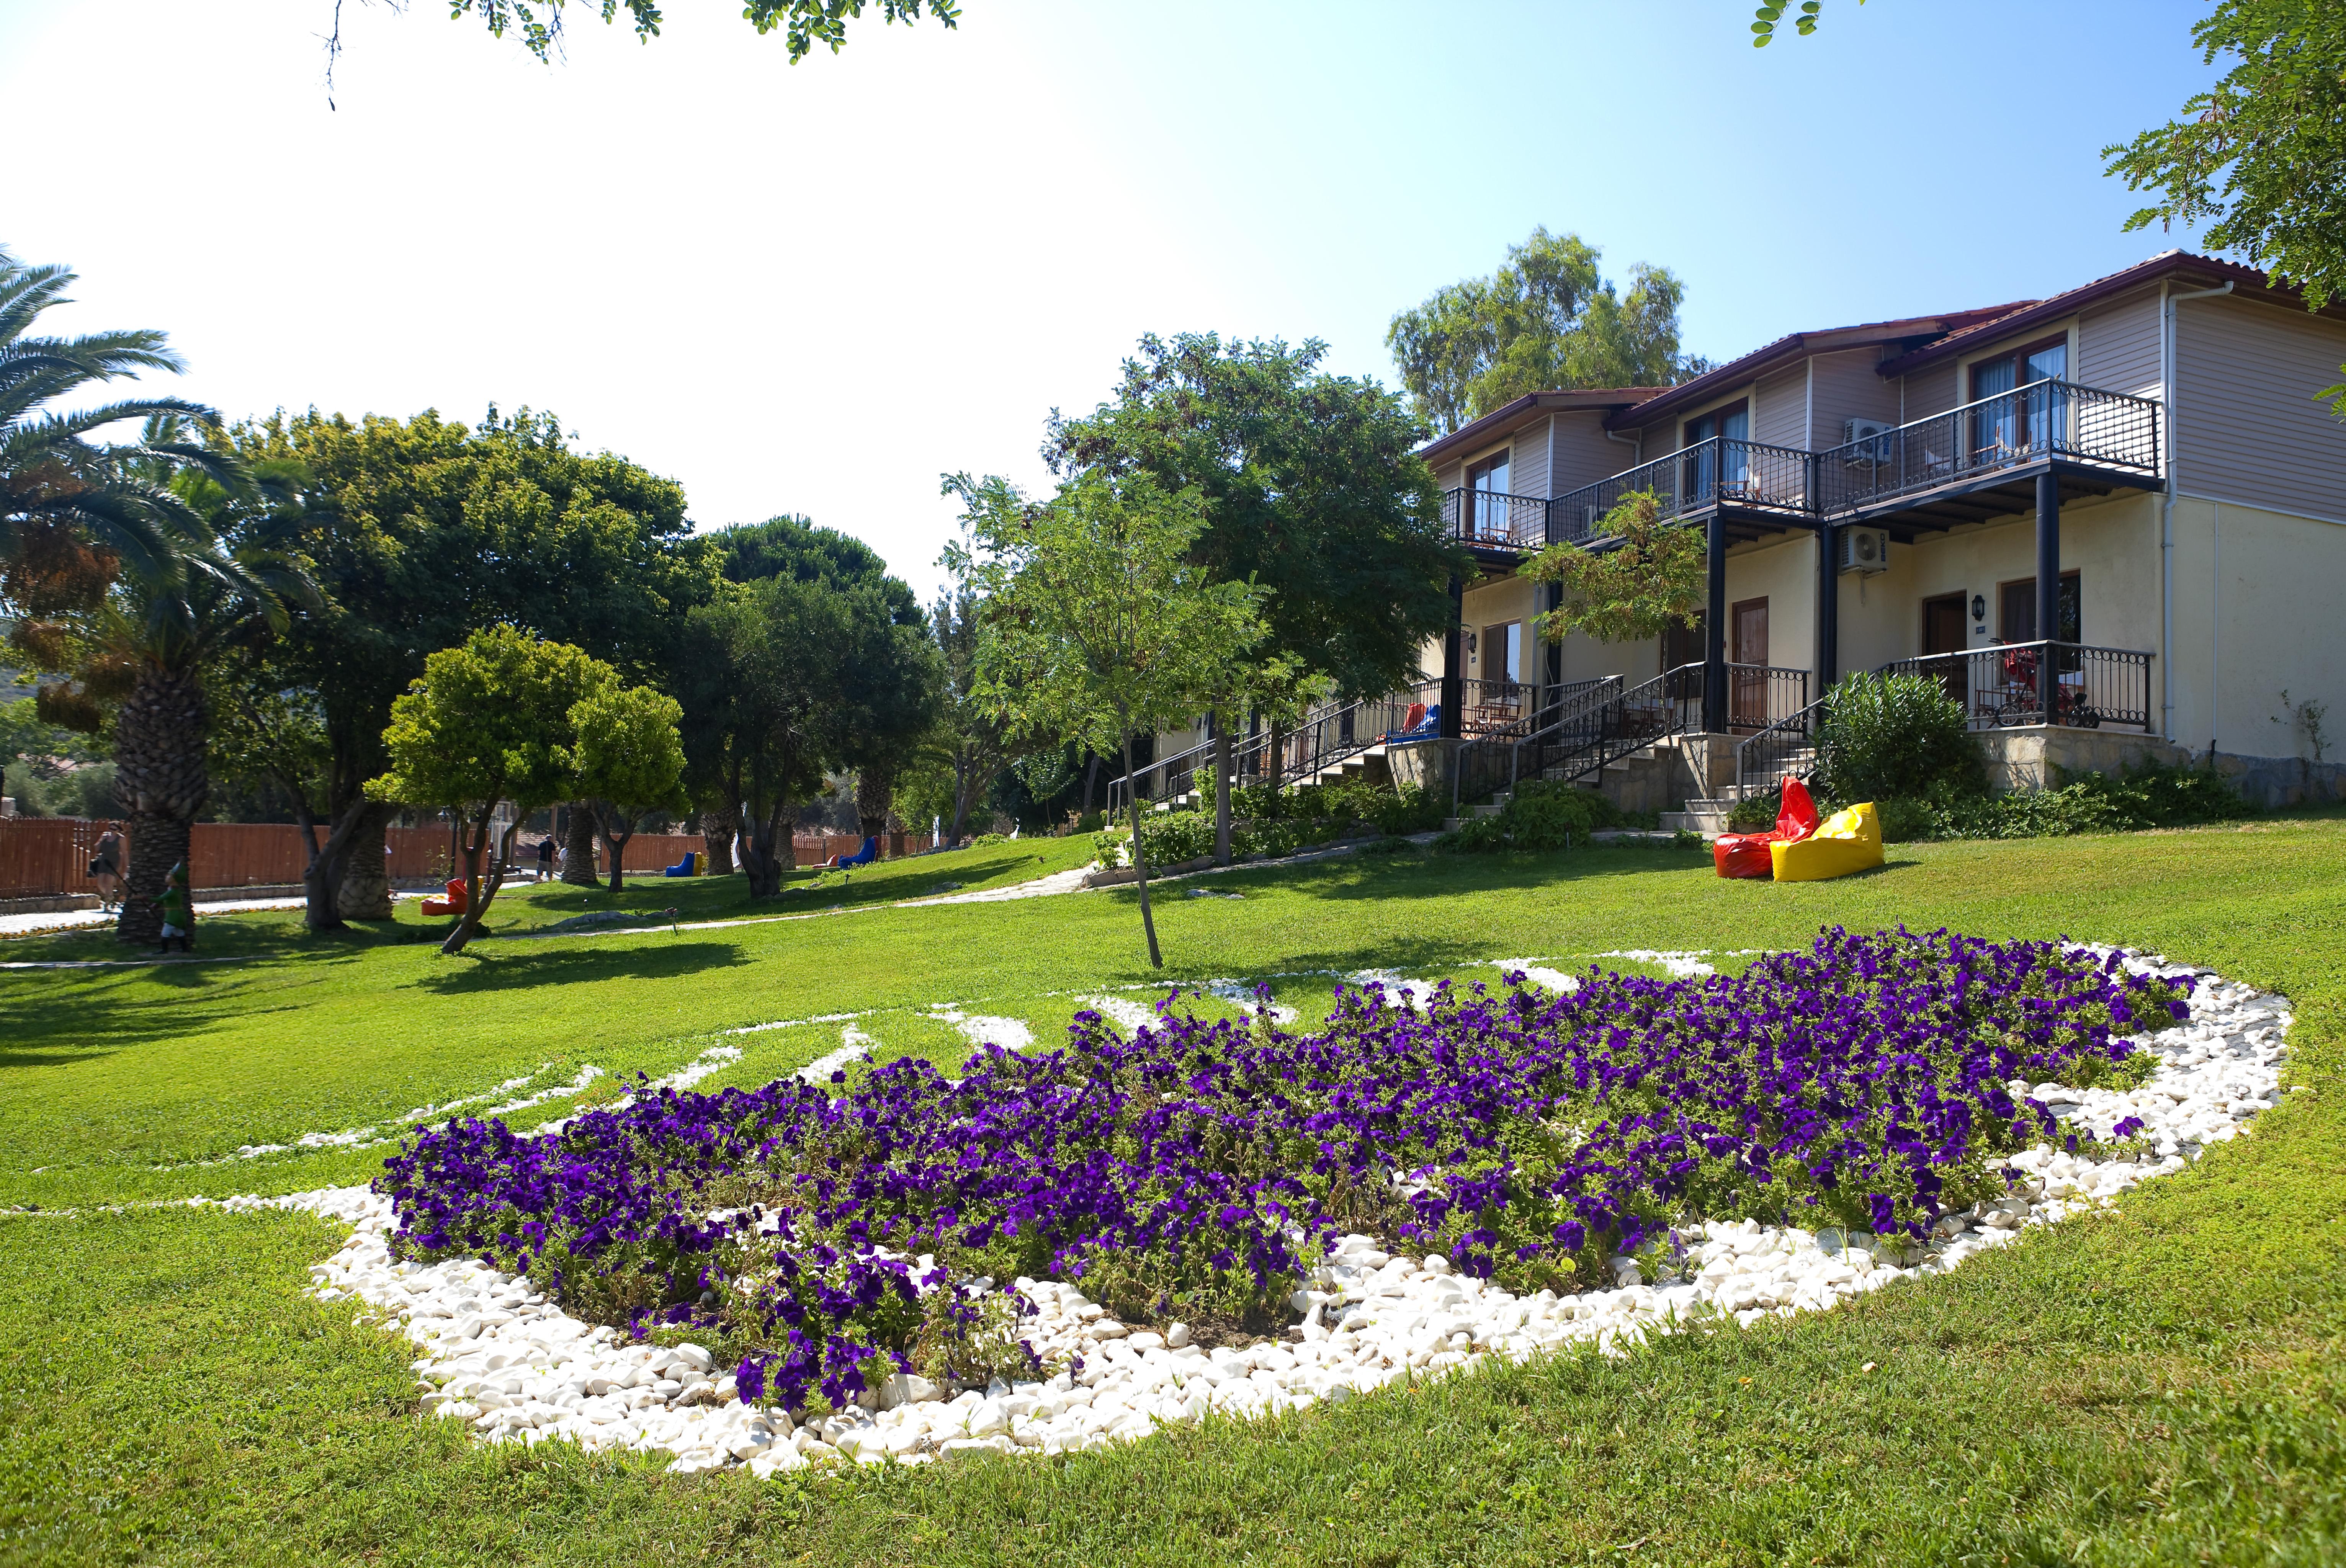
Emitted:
pixel 1308 486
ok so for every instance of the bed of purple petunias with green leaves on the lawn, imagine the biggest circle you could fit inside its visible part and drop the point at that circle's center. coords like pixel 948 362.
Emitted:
pixel 1200 1168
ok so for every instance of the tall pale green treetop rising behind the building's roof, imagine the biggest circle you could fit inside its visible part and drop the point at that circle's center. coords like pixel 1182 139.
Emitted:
pixel 1545 322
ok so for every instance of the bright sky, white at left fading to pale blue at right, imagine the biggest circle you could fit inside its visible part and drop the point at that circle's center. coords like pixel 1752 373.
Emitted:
pixel 818 289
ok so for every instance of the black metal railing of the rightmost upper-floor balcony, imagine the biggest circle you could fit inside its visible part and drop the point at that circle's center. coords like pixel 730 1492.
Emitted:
pixel 2110 430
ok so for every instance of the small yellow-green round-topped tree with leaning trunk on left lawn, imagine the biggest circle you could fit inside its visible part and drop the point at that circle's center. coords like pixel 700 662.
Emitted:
pixel 489 725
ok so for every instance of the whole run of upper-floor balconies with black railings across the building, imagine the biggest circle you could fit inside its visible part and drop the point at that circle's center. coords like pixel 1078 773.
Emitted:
pixel 1955 468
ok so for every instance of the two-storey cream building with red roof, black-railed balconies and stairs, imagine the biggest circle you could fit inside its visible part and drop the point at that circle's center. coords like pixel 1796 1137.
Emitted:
pixel 2120 507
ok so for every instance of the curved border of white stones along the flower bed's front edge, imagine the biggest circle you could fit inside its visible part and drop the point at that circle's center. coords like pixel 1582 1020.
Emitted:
pixel 510 1365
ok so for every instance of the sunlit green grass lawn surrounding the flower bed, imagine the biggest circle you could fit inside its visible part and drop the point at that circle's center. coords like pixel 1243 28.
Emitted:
pixel 2159 1386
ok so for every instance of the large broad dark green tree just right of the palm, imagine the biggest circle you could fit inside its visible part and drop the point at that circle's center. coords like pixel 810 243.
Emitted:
pixel 421 531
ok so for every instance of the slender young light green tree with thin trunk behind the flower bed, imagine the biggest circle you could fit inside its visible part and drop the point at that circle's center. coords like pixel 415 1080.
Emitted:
pixel 1101 625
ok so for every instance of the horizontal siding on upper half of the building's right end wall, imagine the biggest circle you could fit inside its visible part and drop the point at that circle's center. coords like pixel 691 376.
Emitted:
pixel 2249 428
